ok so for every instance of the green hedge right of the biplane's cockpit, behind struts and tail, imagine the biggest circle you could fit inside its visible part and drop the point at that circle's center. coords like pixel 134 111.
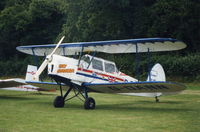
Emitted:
pixel 179 66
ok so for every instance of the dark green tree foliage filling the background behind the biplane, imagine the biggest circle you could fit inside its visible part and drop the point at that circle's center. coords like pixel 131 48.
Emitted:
pixel 25 22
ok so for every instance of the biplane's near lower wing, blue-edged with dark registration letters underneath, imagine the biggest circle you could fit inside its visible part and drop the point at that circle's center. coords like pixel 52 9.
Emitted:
pixel 135 87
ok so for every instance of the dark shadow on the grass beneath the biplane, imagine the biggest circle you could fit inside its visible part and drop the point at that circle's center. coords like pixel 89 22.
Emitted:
pixel 140 105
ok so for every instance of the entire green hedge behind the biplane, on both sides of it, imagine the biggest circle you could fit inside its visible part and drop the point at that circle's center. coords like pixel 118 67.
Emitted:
pixel 185 67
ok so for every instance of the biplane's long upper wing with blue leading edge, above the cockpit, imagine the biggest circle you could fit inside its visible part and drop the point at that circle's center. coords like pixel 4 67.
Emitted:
pixel 113 46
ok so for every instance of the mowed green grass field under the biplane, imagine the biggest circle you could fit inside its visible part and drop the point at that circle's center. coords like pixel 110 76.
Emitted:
pixel 33 112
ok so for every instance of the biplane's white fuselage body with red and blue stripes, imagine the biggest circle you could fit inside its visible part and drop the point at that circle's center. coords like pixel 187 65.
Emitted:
pixel 85 73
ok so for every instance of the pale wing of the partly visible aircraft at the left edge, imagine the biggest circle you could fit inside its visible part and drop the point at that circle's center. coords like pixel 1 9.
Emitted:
pixel 11 83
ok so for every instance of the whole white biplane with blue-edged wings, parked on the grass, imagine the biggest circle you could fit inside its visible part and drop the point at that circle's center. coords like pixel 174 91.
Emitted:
pixel 89 73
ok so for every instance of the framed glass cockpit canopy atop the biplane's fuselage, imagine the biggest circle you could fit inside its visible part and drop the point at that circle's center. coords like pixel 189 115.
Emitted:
pixel 90 62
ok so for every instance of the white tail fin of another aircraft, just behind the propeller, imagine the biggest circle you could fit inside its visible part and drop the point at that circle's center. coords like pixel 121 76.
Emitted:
pixel 31 70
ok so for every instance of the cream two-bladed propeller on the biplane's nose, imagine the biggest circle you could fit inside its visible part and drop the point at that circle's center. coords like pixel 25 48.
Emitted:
pixel 47 60
